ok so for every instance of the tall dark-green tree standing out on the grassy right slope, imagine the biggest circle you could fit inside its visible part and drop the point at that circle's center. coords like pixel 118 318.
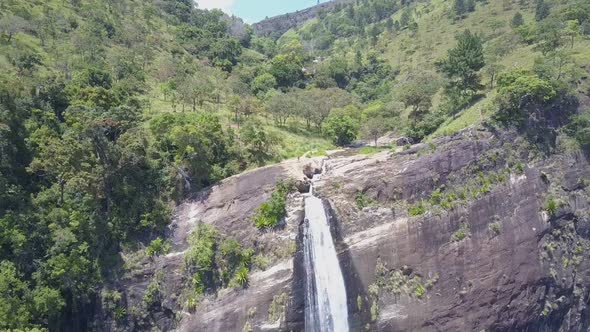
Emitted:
pixel 462 65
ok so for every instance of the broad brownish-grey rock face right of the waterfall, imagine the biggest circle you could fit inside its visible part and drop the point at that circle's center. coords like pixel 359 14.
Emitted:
pixel 457 237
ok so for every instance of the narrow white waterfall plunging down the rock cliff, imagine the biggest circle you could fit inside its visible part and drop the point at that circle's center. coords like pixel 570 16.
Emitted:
pixel 326 307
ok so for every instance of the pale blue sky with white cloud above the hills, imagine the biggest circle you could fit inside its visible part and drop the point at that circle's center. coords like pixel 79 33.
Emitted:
pixel 253 11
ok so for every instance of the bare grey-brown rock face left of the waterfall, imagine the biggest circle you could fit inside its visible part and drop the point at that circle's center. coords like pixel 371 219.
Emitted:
pixel 229 206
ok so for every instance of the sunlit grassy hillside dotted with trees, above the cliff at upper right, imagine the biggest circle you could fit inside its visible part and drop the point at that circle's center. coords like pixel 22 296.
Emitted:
pixel 417 35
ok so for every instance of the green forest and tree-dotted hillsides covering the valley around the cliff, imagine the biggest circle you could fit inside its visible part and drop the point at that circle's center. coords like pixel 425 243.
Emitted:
pixel 112 112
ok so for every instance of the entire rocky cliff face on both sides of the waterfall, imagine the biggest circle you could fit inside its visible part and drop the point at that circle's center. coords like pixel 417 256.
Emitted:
pixel 480 231
